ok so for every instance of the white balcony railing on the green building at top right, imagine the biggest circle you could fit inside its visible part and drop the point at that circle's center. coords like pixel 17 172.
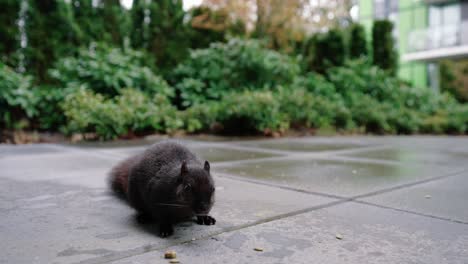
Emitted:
pixel 438 37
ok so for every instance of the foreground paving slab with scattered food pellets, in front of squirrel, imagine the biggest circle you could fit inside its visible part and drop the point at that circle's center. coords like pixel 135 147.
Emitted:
pixel 368 235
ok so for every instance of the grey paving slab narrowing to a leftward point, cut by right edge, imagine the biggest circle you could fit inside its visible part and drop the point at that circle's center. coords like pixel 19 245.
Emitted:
pixel 445 198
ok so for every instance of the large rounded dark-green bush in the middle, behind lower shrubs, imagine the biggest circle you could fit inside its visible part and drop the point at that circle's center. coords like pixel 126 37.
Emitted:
pixel 210 73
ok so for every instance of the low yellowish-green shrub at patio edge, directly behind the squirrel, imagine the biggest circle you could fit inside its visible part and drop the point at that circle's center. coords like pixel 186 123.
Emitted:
pixel 133 111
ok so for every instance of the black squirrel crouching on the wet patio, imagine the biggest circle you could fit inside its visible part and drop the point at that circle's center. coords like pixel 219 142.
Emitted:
pixel 166 183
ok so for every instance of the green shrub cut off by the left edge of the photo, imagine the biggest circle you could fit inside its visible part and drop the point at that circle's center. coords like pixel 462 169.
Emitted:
pixel 17 101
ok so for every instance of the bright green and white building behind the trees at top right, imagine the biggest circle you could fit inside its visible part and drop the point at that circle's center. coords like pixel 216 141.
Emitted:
pixel 426 32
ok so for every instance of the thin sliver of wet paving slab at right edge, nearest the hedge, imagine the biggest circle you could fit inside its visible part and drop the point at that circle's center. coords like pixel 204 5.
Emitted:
pixel 415 155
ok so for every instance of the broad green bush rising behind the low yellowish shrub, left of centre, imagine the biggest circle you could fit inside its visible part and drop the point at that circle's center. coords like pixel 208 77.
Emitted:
pixel 107 70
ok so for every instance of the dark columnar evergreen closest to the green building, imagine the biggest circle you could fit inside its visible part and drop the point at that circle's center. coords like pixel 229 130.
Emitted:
pixel 383 46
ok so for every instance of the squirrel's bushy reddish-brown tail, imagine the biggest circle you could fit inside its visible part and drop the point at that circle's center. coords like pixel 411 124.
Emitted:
pixel 118 177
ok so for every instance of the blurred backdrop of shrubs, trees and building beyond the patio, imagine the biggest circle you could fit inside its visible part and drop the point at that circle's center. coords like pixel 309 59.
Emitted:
pixel 108 69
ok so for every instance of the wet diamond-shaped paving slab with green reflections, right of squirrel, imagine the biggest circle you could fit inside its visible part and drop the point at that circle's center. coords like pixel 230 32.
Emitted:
pixel 334 177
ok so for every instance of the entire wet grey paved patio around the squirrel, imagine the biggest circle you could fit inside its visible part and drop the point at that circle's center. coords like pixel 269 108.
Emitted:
pixel 387 199
